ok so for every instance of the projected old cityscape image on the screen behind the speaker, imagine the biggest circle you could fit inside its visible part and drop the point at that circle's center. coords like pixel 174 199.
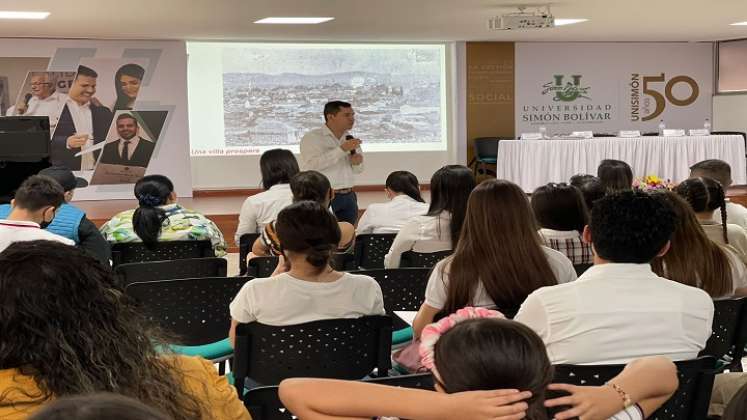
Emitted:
pixel 273 94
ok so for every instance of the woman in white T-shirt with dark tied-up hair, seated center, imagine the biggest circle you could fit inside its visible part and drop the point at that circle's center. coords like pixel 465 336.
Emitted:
pixel 305 288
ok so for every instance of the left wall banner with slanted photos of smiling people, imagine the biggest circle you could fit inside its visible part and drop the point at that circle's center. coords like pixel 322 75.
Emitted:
pixel 146 78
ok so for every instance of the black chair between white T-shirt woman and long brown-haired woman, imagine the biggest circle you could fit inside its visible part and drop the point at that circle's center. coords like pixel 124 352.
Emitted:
pixel 403 290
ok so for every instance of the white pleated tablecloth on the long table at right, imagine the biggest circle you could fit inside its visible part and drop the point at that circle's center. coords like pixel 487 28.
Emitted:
pixel 532 163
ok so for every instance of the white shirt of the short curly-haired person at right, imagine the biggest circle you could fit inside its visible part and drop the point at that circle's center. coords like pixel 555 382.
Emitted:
pixel 615 313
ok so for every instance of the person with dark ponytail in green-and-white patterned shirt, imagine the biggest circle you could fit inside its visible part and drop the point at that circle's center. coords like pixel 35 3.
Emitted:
pixel 159 218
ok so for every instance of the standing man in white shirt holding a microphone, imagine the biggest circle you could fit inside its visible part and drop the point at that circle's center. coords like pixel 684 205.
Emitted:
pixel 330 150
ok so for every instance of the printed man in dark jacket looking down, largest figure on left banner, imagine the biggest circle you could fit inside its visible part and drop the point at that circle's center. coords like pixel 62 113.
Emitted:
pixel 83 123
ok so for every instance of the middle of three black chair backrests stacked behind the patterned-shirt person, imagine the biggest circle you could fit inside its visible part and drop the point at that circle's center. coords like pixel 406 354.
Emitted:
pixel 188 268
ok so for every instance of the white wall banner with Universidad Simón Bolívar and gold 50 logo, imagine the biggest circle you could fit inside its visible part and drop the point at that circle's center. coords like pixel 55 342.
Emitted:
pixel 608 87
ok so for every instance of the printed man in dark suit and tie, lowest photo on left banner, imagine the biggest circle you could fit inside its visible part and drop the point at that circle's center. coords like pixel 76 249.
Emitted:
pixel 129 149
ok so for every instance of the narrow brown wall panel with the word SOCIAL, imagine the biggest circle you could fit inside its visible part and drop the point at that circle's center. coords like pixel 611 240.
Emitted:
pixel 490 91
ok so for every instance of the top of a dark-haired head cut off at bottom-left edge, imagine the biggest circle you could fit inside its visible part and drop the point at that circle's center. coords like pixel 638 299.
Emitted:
pixel 97 407
